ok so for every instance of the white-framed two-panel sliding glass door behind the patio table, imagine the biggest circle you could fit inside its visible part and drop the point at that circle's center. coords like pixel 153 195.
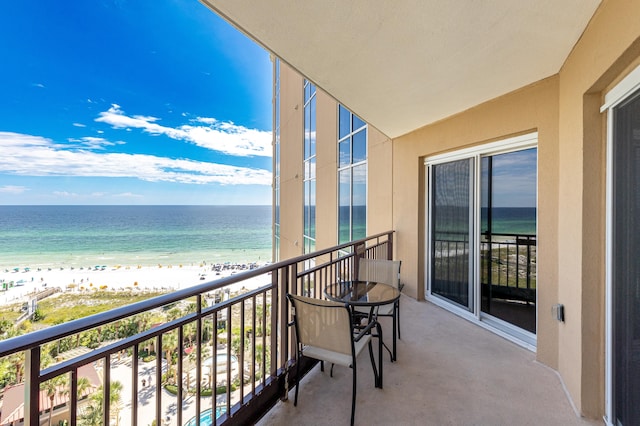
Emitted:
pixel 482 234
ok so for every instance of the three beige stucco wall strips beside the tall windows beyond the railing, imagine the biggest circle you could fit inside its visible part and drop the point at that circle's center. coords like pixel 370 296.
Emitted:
pixel 379 177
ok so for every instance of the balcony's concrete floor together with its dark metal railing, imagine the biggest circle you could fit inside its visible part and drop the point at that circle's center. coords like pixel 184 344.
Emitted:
pixel 448 370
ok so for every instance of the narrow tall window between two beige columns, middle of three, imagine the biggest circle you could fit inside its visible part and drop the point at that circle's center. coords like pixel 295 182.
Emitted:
pixel 309 232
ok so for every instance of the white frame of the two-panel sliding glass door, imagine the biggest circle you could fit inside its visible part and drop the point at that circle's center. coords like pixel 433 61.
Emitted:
pixel 502 328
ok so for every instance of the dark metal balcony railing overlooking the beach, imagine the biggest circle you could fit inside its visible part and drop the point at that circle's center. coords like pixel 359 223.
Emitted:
pixel 225 360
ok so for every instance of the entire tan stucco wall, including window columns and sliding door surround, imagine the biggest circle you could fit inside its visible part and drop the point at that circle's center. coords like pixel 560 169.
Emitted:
pixel 564 110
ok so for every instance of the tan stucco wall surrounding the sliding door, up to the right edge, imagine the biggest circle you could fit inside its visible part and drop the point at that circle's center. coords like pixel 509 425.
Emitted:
pixel 571 193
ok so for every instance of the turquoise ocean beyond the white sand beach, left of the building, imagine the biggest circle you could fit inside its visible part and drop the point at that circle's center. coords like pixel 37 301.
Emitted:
pixel 46 236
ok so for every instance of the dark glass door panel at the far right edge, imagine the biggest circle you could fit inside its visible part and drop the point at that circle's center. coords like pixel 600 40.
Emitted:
pixel 626 268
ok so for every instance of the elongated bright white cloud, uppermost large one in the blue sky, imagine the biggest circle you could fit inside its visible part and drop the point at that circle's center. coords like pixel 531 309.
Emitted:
pixel 209 133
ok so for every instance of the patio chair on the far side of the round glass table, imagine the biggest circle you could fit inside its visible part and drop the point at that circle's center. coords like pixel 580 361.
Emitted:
pixel 386 272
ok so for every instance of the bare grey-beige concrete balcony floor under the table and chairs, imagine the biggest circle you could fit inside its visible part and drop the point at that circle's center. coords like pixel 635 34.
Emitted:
pixel 449 372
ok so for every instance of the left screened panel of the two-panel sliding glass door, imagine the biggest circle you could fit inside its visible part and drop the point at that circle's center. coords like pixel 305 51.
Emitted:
pixel 451 233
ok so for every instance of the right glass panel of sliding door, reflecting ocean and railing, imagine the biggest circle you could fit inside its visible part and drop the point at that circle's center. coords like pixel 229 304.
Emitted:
pixel 508 237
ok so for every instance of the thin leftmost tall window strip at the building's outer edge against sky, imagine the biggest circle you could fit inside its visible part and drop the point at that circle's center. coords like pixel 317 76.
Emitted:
pixel 276 161
